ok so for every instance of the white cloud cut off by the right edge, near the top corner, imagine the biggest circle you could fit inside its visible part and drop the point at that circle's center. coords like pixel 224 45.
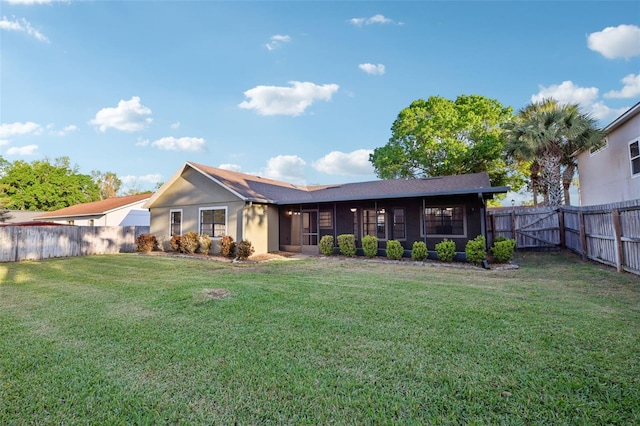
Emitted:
pixel 622 41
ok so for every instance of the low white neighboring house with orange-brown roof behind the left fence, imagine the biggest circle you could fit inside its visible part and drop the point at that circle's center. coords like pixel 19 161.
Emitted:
pixel 117 211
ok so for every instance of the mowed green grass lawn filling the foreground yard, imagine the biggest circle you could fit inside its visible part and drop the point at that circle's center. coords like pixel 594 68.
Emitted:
pixel 130 339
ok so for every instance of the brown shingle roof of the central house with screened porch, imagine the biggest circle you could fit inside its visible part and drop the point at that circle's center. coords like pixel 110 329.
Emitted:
pixel 259 189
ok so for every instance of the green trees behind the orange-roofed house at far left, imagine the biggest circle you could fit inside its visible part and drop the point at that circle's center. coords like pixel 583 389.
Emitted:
pixel 45 185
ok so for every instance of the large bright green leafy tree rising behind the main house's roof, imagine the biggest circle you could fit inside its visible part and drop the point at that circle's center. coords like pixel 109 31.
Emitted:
pixel 439 137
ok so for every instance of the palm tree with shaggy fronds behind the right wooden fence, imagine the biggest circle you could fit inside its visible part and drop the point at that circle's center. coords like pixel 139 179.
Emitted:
pixel 550 135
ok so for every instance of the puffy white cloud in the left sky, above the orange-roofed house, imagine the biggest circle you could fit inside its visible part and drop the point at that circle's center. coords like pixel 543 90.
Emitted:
pixel 128 116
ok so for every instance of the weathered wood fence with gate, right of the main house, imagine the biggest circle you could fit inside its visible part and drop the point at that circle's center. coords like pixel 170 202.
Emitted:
pixel 608 234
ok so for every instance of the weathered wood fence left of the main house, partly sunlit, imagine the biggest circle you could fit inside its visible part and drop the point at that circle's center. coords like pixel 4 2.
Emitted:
pixel 41 242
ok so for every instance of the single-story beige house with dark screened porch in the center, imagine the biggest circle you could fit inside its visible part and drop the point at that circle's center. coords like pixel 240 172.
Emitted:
pixel 275 215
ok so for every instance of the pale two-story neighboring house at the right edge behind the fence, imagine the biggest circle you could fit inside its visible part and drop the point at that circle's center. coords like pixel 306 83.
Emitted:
pixel 612 173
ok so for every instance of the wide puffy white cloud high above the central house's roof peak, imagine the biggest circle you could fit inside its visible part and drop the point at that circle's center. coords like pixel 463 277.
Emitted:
pixel 276 100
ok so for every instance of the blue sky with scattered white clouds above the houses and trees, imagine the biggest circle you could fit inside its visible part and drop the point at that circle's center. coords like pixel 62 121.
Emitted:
pixel 297 91
